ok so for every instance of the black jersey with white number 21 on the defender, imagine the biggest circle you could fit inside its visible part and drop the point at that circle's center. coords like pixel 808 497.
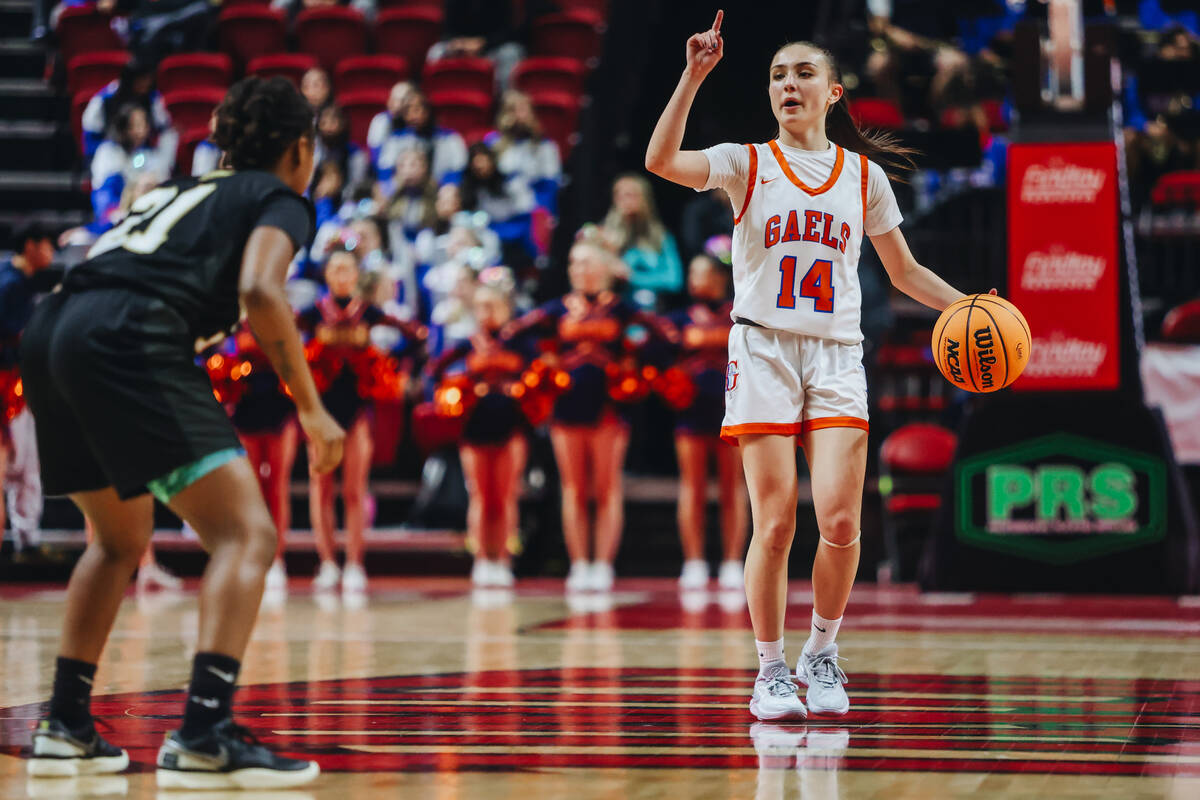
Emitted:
pixel 183 243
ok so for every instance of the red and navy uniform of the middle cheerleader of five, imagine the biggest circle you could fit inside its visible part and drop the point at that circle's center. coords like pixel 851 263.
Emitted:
pixel 496 365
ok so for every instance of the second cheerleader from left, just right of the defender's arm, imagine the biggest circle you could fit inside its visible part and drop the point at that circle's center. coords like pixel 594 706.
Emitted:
pixel 350 372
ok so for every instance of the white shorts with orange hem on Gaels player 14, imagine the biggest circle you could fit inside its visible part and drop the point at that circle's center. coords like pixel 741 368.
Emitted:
pixel 789 384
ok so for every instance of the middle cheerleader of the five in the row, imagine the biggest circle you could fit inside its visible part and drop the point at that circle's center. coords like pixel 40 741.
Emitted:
pixel 494 444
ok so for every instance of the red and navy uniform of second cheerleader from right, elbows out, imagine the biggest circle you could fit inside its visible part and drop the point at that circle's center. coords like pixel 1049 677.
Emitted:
pixel 590 335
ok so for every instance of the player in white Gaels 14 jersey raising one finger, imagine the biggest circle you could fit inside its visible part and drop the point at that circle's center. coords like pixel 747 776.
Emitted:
pixel 802 204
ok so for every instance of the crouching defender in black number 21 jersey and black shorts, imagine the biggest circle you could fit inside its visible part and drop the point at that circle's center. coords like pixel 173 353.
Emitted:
pixel 124 412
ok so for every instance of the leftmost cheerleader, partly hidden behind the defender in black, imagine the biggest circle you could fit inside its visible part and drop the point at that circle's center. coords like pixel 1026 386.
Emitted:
pixel 265 418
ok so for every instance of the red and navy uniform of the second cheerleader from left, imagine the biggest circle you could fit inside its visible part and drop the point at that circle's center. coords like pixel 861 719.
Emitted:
pixel 344 362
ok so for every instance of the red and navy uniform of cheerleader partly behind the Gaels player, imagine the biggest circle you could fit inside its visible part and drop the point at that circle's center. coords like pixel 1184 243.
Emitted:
pixel 703 354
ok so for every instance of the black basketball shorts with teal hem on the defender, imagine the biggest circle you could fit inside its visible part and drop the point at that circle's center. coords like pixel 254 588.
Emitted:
pixel 118 399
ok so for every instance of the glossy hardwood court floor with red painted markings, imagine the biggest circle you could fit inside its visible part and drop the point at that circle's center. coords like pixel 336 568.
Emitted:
pixel 434 691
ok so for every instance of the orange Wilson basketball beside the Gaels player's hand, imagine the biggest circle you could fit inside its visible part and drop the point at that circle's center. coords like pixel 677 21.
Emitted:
pixel 982 344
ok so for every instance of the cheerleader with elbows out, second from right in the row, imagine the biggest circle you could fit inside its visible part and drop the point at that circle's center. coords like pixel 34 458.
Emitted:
pixel 589 328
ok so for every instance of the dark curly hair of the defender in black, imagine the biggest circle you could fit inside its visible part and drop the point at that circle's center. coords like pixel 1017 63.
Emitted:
pixel 259 121
